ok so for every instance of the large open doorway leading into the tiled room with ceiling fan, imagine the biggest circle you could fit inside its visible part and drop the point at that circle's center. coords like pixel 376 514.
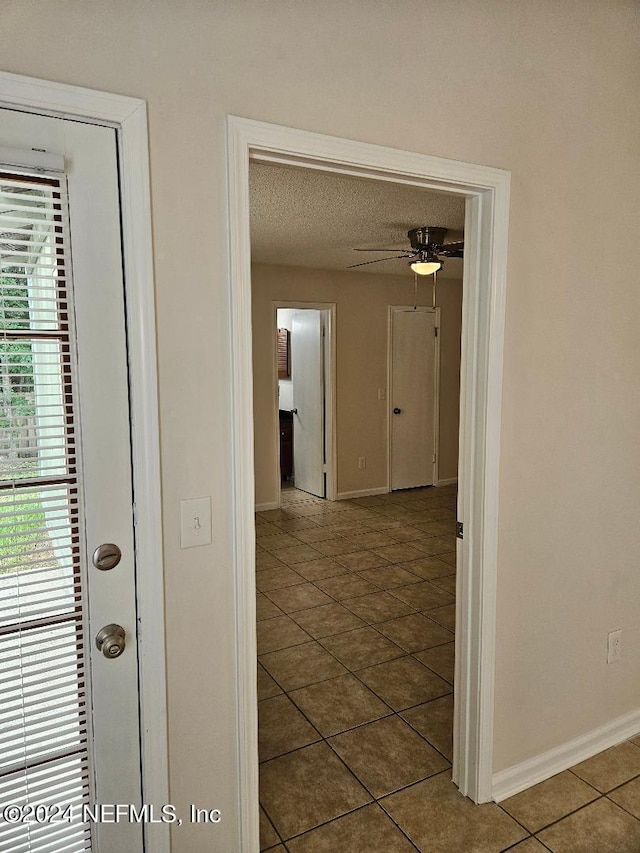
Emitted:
pixel 356 597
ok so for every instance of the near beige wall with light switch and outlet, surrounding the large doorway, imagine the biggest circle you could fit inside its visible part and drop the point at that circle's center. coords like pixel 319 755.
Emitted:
pixel 547 90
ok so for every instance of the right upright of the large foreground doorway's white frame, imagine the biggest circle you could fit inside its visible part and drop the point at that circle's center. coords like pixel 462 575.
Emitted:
pixel 485 264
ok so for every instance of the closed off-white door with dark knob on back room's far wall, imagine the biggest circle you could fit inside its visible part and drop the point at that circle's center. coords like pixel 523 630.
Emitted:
pixel 412 397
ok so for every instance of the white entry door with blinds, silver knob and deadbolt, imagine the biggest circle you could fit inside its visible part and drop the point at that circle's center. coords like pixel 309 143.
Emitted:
pixel 69 729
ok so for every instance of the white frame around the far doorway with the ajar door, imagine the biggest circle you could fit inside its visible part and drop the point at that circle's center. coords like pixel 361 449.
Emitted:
pixel 329 391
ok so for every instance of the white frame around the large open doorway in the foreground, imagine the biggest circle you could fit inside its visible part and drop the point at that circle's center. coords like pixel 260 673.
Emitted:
pixel 486 227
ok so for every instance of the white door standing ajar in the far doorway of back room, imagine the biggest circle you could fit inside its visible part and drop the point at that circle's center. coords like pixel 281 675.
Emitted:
pixel 307 378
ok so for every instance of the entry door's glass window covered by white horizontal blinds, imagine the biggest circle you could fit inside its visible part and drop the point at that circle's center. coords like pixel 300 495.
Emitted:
pixel 44 754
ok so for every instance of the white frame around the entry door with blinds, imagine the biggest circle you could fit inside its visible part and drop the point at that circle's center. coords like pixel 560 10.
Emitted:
pixel 128 116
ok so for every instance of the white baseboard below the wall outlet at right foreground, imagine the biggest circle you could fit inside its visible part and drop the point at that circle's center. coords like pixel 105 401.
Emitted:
pixel 514 779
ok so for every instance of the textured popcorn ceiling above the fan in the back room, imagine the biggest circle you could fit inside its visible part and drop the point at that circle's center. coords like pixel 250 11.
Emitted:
pixel 314 219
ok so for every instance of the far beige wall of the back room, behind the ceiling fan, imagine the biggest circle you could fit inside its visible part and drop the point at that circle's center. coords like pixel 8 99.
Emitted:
pixel 362 304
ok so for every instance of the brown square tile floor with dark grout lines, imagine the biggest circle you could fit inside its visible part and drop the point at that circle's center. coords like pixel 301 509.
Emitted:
pixel 355 679
